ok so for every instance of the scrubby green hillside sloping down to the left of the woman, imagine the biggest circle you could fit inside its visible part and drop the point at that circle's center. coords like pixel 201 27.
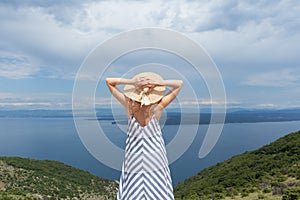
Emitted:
pixel 35 179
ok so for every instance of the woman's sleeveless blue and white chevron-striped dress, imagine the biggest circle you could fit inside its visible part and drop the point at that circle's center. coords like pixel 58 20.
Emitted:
pixel 145 172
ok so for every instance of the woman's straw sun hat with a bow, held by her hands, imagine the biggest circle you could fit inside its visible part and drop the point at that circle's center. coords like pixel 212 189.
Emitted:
pixel 146 96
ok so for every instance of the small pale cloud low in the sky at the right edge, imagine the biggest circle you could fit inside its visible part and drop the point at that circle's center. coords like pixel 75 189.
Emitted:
pixel 282 78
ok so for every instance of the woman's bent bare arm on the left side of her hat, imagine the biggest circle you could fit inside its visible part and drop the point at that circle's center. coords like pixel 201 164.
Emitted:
pixel 112 86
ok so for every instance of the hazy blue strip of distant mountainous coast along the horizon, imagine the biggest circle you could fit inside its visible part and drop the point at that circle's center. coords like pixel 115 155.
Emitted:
pixel 174 115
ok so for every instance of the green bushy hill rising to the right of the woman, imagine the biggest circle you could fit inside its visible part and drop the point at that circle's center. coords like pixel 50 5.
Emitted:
pixel 271 172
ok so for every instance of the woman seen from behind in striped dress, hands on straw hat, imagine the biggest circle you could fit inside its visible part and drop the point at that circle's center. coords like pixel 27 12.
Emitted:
pixel 145 171
